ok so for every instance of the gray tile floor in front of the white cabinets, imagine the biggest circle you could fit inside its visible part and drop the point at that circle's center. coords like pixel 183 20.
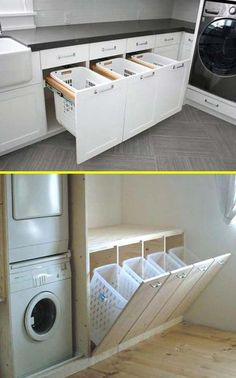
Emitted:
pixel 190 140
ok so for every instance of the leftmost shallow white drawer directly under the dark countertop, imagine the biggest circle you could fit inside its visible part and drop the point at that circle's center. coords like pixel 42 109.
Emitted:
pixel 64 55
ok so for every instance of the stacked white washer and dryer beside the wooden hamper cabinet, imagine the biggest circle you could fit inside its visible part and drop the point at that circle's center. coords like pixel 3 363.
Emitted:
pixel 40 272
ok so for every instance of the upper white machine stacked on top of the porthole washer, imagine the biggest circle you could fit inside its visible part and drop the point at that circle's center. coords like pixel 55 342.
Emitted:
pixel 37 216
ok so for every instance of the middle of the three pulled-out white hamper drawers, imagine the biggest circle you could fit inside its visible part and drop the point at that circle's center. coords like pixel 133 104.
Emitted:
pixel 140 84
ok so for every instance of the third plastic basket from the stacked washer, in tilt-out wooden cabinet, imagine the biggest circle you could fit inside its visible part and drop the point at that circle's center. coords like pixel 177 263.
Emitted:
pixel 165 261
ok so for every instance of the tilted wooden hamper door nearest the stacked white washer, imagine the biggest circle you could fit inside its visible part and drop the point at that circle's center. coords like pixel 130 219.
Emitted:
pixel 140 300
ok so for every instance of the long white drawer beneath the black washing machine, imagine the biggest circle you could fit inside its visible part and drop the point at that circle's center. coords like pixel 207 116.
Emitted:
pixel 212 103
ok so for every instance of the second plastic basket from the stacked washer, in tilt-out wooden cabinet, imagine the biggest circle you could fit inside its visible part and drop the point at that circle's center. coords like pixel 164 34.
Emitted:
pixel 140 269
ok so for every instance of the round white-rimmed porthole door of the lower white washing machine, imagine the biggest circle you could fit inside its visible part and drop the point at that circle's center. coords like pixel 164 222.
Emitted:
pixel 42 316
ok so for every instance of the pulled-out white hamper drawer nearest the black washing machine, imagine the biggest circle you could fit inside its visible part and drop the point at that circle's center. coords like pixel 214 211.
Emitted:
pixel 171 80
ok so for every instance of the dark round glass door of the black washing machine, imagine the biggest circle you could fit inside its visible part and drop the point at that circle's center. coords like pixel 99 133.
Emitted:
pixel 217 47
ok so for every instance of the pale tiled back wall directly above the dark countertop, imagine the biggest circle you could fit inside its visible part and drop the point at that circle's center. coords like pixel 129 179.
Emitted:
pixel 59 12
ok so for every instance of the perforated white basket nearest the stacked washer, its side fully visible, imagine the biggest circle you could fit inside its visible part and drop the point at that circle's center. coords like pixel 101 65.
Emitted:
pixel 110 290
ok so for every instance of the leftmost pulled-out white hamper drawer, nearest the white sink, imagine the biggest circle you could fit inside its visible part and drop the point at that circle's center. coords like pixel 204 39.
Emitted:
pixel 89 106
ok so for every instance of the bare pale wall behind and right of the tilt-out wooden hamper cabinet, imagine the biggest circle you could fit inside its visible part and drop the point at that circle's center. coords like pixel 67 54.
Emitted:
pixel 189 202
